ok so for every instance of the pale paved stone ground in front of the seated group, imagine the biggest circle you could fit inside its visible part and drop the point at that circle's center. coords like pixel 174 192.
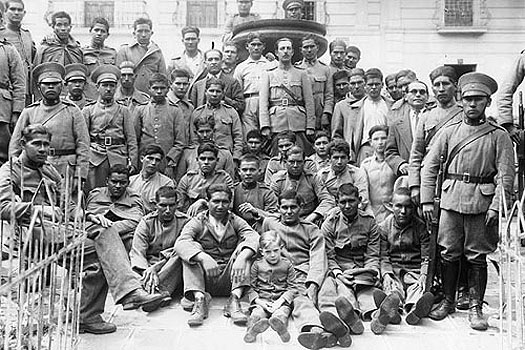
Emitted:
pixel 167 329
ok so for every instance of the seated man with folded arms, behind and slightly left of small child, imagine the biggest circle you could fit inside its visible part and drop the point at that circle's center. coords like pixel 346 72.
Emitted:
pixel 253 201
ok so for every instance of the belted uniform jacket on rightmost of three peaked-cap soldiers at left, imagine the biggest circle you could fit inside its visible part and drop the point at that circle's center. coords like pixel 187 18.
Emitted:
pixel 111 124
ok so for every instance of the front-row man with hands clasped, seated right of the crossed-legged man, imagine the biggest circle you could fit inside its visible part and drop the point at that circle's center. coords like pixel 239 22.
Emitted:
pixel 152 252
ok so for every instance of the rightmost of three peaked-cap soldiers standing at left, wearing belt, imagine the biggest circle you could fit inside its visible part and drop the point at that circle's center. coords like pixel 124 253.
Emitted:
pixel 111 132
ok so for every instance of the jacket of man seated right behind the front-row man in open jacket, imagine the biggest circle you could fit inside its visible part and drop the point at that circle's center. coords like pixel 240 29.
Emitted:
pixel 193 186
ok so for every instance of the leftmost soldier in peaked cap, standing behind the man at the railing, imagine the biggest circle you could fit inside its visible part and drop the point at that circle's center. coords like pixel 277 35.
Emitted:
pixel 70 142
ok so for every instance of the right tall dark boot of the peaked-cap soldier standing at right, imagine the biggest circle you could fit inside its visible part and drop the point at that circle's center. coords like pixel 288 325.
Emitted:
pixel 477 278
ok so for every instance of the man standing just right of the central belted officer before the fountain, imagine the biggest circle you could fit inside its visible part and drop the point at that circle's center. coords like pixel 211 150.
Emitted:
pixel 321 81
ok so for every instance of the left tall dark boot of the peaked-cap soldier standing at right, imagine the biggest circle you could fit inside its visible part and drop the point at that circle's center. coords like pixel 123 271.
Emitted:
pixel 449 274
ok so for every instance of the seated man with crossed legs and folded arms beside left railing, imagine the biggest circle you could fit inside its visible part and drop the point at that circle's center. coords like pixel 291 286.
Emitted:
pixel 112 214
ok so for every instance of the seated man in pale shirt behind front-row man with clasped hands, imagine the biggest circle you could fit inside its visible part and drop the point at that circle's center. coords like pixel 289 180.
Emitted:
pixel 149 180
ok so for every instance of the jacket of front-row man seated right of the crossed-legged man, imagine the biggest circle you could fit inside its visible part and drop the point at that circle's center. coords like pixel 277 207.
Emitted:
pixel 153 240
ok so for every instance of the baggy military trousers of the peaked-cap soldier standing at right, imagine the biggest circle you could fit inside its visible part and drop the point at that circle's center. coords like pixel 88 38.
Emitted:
pixel 466 234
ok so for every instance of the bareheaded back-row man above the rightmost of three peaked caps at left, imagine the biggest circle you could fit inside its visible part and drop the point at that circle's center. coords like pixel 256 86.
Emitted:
pixel 96 52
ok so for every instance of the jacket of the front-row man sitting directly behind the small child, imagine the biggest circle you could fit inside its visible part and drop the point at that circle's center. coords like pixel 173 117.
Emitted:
pixel 305 245
